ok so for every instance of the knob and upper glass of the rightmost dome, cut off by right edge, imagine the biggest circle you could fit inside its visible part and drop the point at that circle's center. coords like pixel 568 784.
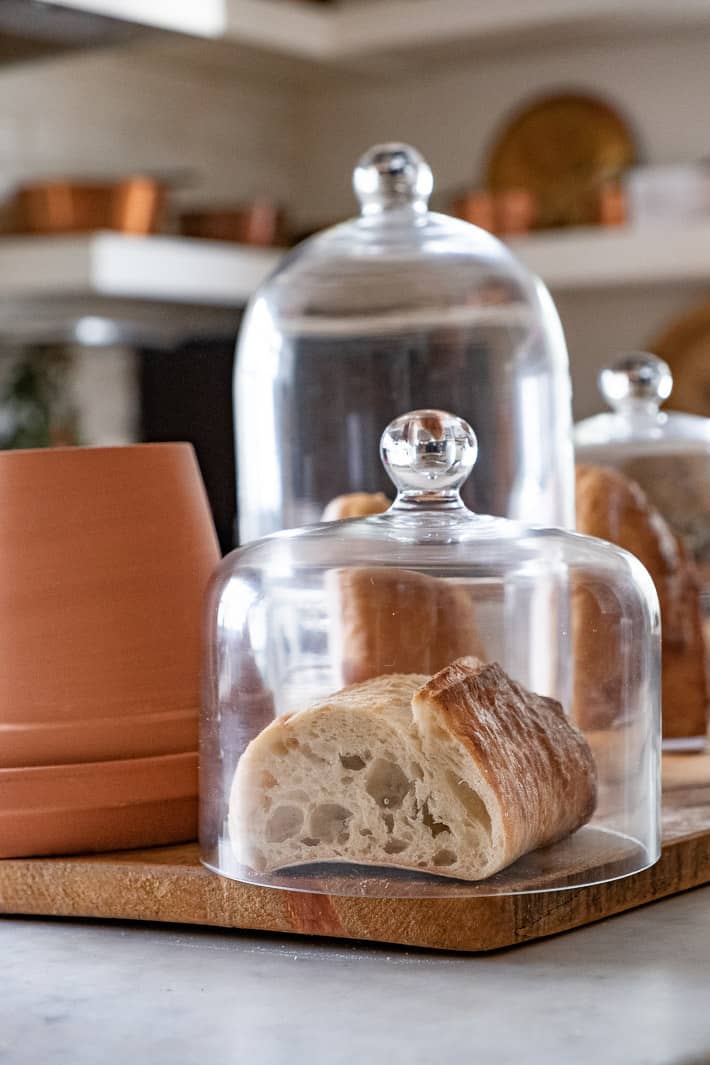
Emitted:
pixel 667 453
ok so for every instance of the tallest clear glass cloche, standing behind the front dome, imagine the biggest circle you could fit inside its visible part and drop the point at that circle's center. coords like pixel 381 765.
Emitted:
pixel 399 309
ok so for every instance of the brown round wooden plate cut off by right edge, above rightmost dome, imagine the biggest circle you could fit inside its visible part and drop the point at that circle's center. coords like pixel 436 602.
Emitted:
pixel 685 345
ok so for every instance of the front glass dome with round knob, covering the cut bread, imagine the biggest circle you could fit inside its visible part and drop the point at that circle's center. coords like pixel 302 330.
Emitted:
pixel 430 702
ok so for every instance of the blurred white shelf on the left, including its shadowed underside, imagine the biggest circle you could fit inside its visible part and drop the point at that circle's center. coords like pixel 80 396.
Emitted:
pixel 106 289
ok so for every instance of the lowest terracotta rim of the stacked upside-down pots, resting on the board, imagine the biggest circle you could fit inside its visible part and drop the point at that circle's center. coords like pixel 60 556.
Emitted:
pixel 98 807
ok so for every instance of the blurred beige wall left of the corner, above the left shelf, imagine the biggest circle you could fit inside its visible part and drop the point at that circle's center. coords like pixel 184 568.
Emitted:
pixel 158 108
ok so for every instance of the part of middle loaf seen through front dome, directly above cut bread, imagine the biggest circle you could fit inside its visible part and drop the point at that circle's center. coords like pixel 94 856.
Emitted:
pixel 387 620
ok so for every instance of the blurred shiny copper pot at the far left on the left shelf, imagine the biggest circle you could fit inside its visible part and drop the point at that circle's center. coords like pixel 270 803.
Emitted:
pixel 131 206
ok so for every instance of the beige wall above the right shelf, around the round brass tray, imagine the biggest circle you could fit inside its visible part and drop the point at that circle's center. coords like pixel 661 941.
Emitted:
pixel 452 113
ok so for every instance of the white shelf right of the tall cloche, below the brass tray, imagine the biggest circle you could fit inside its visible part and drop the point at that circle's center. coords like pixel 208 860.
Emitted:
pixel 580 259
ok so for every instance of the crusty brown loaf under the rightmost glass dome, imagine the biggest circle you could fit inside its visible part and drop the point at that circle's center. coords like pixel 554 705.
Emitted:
pixel 615 509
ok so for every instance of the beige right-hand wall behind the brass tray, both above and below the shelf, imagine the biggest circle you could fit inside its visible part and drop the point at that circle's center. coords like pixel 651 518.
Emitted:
pixel 452 113
